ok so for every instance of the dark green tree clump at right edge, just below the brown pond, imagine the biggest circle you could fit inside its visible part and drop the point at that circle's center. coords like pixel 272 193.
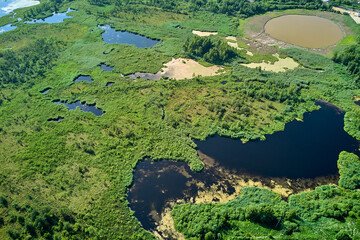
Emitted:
pixel 350 57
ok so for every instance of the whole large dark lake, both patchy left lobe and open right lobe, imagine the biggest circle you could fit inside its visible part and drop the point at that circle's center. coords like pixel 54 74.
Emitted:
pixel 302 153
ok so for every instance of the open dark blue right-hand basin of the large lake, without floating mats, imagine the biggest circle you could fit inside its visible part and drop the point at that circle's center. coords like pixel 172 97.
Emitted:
pixel 303 150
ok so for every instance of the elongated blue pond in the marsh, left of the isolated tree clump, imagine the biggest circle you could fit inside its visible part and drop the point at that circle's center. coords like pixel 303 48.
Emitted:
pixel 112 36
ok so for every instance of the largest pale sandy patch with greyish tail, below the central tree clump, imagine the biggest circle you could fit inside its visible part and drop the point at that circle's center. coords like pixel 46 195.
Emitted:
pixel 181 68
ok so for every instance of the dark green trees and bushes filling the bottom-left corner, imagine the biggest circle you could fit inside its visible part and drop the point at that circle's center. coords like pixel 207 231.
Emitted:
pixel 32 222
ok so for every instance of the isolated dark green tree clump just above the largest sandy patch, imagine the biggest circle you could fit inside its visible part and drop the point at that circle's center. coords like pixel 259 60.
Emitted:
pixel 217 52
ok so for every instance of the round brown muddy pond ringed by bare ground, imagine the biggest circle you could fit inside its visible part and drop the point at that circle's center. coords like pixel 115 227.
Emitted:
pixel 304 31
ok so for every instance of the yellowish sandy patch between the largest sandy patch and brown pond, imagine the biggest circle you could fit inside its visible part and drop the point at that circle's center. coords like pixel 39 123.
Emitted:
pixel 279 66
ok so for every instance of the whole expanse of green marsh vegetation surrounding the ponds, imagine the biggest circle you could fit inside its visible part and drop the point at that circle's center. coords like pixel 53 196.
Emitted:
pixel 65 174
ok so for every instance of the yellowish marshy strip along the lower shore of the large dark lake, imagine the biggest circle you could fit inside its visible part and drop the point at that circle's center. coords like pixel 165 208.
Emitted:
pixel 228 186
